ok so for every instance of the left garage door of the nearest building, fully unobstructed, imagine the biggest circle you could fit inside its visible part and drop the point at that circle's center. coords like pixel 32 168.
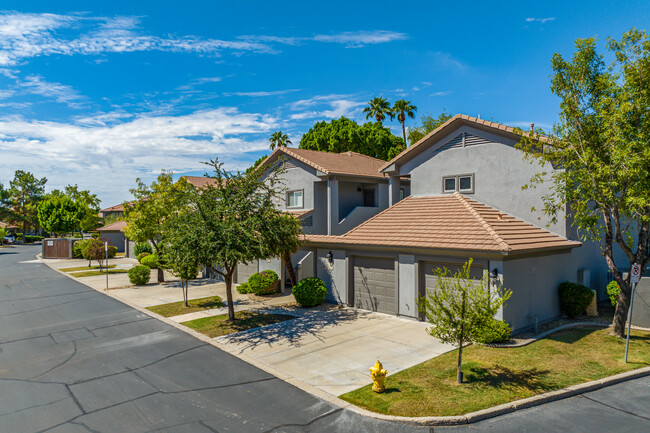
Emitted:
pixel 374 284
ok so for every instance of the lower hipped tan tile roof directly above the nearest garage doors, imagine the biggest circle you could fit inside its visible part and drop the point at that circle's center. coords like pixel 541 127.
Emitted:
pixel 452 222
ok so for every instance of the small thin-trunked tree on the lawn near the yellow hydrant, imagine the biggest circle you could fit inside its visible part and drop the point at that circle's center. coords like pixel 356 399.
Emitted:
pixel 459 307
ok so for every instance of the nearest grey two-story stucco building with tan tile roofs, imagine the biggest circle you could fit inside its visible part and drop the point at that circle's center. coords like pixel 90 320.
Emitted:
pixel 466 201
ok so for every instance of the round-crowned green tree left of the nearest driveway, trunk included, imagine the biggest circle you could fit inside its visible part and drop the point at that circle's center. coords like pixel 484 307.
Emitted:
pixel 233 220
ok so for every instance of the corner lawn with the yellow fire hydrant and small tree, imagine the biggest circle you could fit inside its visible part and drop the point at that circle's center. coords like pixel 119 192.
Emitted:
pixel 496 376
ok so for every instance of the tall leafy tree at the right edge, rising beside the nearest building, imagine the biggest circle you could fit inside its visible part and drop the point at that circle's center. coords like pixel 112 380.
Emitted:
pixel 601 144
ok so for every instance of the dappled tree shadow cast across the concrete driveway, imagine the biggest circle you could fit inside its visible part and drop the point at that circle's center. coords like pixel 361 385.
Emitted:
pixel 313 323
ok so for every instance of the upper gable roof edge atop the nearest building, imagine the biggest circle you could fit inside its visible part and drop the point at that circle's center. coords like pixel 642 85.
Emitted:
pixel 454 123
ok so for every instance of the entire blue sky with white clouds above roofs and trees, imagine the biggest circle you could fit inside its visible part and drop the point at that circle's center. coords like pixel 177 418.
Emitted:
pixel 100 93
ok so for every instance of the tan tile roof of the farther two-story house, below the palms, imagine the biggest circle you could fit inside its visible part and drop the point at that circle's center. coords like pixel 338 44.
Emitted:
pixel 346 163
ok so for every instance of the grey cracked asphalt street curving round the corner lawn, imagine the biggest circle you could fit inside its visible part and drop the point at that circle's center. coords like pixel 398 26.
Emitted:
pixel 75 360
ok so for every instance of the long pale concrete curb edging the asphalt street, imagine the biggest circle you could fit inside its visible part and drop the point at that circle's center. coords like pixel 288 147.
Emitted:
pixel 420 421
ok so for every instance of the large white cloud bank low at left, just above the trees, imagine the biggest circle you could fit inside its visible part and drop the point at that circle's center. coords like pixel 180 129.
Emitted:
pixel 107 158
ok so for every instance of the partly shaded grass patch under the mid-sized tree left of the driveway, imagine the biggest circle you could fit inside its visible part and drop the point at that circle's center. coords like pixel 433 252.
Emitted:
pixel 219 325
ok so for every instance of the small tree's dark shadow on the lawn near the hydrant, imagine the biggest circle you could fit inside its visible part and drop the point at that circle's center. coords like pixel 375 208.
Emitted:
pixel 500 377
